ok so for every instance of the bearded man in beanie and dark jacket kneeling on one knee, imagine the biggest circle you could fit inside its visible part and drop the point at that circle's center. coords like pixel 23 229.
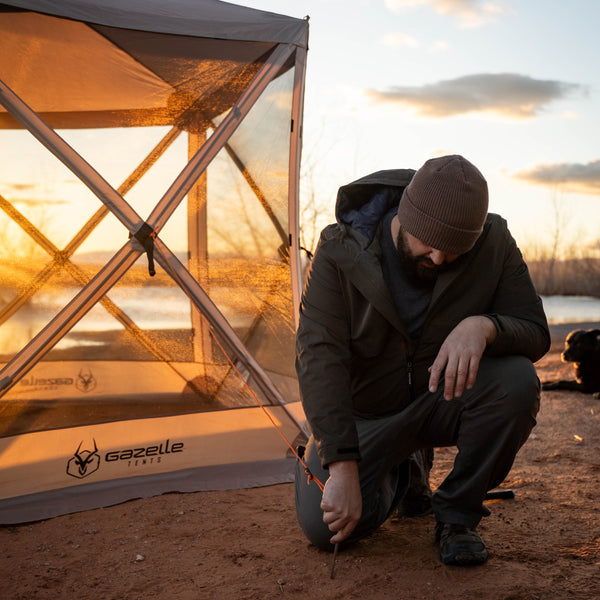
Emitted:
pixel 418 327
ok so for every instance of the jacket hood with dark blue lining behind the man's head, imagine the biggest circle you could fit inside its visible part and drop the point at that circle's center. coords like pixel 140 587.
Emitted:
pixel 362 203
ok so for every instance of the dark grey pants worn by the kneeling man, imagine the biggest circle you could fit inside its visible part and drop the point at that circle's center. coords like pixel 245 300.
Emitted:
pixel 488 425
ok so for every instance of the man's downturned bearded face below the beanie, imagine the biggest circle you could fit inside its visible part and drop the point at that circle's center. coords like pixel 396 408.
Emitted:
pixel 422 264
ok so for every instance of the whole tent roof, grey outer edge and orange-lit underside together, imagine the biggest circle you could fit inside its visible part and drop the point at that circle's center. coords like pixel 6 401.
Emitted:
pixel 145 60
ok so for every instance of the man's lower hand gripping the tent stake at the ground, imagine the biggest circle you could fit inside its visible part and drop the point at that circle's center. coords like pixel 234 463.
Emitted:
pixel 342 499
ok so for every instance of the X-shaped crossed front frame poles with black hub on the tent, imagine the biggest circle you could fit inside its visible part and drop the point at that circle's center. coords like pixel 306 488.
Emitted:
pixel 110 274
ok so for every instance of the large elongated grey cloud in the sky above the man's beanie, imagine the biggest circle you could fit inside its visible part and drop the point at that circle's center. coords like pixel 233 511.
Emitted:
pixel 506 94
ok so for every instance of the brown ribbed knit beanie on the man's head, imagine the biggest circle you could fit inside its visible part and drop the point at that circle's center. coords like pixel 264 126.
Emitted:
pixel 445 204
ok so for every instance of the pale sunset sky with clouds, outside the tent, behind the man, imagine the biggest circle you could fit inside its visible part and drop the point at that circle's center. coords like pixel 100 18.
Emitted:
pixel 512 86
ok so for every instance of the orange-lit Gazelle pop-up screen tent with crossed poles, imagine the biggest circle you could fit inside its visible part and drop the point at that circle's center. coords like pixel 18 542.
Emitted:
pixel 149 265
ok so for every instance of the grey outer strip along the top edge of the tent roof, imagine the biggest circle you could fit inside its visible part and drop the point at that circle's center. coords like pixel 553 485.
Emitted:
pixel 201 18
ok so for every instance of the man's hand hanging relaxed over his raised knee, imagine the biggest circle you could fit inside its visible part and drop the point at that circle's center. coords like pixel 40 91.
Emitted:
pixel 460 354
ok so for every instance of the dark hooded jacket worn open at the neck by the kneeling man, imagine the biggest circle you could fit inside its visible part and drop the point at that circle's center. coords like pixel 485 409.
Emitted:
pixel 353 351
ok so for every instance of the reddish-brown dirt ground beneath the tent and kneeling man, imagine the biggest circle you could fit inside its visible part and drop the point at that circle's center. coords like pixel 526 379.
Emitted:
pixel 246 544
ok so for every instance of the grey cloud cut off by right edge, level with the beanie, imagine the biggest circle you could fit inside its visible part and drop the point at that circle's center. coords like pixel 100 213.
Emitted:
pixel 570 177
